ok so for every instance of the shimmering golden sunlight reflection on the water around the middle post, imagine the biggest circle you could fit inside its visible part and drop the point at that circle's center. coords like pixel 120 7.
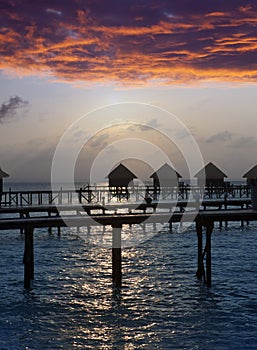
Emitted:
pixel 109 316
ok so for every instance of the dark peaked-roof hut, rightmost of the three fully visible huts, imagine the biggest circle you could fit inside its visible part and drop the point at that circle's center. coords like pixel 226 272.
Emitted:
pixel 210 175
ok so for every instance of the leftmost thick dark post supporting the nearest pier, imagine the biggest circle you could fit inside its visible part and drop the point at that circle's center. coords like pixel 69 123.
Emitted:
pixel 28 258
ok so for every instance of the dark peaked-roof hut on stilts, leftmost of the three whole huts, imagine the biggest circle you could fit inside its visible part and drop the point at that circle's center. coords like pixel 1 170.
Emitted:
pixel 119 179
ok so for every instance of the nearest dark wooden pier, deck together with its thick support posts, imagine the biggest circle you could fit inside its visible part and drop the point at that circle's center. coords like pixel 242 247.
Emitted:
pixel 202 219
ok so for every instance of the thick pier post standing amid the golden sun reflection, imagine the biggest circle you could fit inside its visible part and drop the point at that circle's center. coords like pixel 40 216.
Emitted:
pixel 116 256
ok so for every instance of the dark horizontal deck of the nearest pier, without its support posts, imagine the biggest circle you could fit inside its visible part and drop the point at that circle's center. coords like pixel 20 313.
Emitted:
pixel 204 217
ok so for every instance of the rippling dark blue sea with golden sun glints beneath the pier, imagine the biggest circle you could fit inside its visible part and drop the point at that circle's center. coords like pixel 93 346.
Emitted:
pixel 161 305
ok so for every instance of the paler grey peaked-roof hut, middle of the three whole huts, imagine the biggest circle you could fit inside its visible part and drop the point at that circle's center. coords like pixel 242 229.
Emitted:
pixel 165 176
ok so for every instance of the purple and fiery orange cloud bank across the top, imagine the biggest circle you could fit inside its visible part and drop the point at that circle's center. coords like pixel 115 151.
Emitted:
pixel 130 42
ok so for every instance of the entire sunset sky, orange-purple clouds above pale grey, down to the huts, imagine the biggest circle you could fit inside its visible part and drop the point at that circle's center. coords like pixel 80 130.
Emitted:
pixel 102 77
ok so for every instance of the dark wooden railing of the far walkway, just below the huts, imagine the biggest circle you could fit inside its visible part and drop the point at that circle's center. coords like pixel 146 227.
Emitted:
pixel 106 194
